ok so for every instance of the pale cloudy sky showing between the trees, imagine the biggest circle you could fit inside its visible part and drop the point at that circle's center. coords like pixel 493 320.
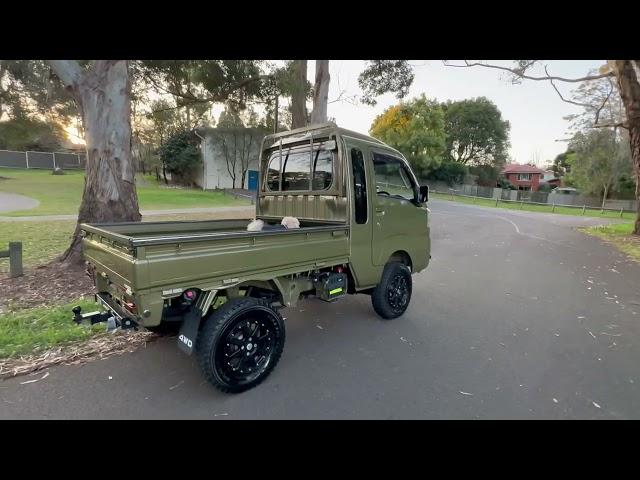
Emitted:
pixel 533 108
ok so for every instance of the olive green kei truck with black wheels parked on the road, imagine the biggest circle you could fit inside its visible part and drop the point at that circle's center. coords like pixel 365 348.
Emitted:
pixel 364 229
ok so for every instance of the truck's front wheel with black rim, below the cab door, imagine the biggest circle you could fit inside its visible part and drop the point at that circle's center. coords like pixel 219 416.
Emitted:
pixel 392 295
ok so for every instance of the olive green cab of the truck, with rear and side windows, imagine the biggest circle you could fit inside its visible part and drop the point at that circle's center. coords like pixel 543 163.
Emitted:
pixel 333 174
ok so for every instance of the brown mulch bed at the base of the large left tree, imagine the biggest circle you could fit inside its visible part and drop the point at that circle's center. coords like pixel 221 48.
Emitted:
pixel 52 283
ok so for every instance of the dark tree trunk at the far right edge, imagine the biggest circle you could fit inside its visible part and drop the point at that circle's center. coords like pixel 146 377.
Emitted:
pixel 629 85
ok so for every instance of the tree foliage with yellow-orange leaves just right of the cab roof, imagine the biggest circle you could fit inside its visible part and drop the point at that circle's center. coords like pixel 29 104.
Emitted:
pixel 415 128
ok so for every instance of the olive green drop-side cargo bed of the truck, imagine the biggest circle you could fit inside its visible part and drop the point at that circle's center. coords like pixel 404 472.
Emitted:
pixel 209 254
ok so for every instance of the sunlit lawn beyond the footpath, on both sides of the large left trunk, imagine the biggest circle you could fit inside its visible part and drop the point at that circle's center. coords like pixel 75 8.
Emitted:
pixel 61 194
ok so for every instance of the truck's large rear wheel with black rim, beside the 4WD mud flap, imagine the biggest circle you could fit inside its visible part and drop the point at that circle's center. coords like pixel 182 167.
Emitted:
pixel 240 344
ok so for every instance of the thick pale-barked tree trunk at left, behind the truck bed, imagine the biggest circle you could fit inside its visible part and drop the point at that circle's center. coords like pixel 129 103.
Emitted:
pixel 103 95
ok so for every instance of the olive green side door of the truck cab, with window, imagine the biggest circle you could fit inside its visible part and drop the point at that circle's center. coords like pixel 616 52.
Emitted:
pixel 398 221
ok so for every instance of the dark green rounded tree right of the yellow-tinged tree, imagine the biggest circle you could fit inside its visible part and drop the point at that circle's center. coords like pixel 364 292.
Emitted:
pixel 476 132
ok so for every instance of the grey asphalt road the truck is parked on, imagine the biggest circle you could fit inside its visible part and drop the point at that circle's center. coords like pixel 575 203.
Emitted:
pixel 518 316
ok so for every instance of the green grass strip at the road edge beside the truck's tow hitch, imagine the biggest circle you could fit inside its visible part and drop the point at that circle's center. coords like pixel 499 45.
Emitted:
pixel 34 330
